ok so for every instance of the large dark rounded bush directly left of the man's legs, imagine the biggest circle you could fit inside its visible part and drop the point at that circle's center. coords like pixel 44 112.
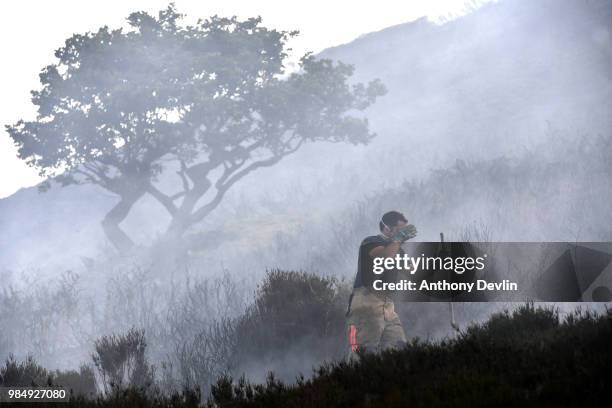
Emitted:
pixel 296 316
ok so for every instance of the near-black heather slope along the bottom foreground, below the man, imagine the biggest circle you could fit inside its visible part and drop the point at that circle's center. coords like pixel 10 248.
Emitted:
pixel 528 357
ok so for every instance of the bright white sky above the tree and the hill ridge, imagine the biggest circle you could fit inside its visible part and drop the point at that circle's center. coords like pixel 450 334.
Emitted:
pixel 31 31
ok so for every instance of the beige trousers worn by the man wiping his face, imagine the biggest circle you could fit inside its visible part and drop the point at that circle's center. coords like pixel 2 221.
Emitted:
pixel 373 324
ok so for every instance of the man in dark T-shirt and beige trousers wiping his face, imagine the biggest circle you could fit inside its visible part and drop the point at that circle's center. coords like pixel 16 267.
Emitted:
pixel 373 324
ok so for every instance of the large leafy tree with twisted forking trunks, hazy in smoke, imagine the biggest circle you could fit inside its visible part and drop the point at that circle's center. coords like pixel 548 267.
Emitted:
pixel 212 101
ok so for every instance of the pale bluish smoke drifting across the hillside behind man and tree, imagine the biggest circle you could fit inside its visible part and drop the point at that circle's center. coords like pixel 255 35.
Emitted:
pixel 496 125
